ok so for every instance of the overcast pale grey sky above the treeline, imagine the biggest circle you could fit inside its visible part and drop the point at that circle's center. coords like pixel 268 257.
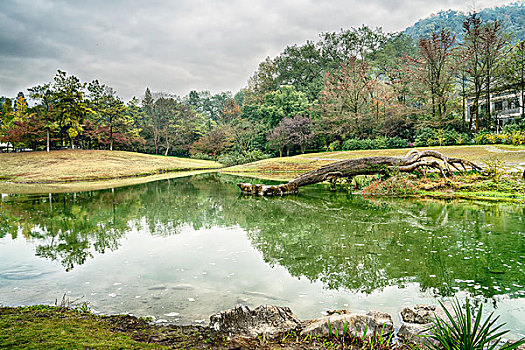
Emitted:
pixel 180 45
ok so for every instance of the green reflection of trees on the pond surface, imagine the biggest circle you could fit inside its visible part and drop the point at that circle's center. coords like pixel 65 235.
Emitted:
pixel 344 241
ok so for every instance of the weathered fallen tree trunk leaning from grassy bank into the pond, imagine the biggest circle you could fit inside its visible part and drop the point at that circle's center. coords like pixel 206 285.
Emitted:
pixel 414 160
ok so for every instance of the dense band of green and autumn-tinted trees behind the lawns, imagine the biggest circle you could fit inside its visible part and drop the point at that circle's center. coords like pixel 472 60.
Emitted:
pixel 358 88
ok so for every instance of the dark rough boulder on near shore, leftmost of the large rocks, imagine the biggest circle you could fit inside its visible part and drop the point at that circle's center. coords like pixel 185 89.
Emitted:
pixel 267 320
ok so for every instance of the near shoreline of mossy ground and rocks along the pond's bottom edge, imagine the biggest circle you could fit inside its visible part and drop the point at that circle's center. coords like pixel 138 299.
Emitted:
pixel 265 327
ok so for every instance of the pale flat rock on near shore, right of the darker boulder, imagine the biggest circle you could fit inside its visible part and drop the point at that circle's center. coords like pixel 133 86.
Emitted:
pixel 357 324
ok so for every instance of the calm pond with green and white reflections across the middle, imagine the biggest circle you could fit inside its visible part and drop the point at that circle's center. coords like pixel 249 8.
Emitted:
pixel 183 249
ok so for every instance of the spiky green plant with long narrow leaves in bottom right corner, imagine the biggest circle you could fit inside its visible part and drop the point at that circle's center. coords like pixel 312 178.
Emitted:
pixel 466 330
